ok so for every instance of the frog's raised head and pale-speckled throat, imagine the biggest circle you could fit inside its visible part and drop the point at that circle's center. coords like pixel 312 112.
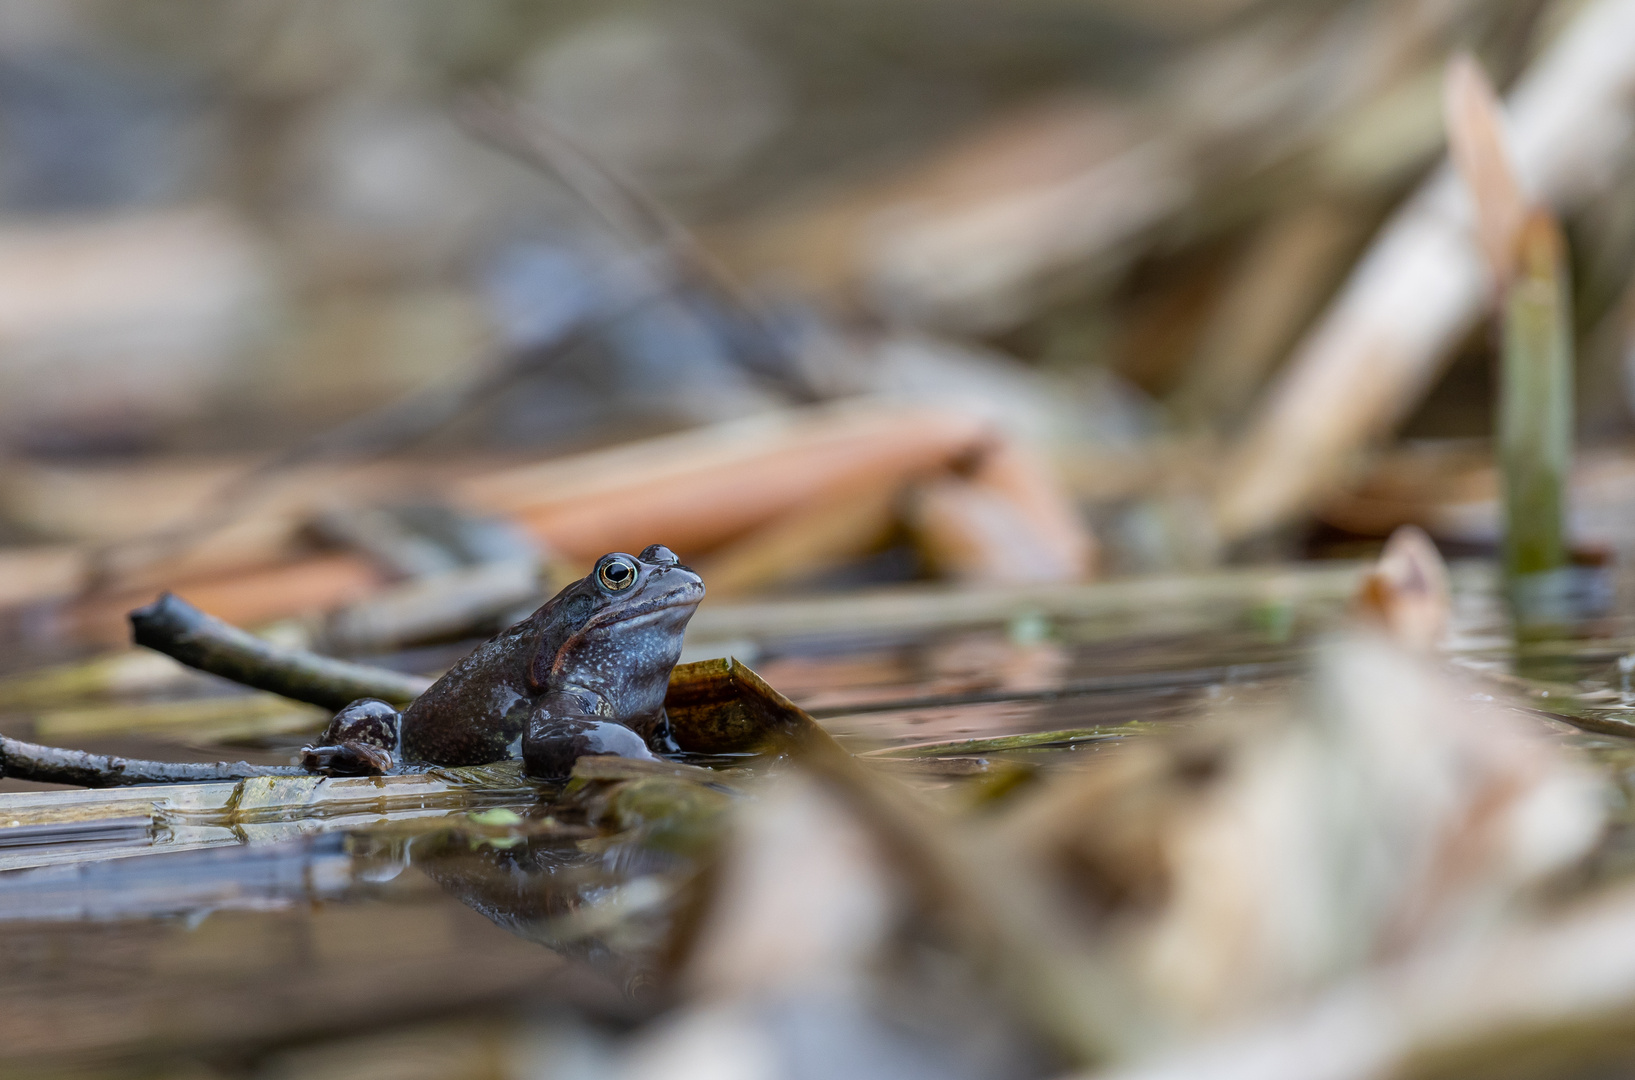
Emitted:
pixel 619 630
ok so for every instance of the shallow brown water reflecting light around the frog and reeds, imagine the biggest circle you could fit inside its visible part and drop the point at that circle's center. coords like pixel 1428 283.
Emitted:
pixel 233 930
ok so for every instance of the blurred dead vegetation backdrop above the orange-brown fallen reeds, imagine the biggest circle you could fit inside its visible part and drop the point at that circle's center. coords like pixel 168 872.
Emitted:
pixel 233 226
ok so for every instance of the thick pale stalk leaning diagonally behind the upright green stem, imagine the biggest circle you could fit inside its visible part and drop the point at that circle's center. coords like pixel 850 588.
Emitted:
pixel 1423 283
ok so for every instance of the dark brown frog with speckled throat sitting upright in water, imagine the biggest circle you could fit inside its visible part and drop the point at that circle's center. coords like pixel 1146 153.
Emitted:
pixel 586 674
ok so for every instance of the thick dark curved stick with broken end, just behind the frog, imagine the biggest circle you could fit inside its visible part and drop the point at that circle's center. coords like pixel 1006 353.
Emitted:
pixel 202 641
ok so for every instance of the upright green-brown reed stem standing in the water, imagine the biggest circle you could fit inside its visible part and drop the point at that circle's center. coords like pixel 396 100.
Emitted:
pixel 1536 426
